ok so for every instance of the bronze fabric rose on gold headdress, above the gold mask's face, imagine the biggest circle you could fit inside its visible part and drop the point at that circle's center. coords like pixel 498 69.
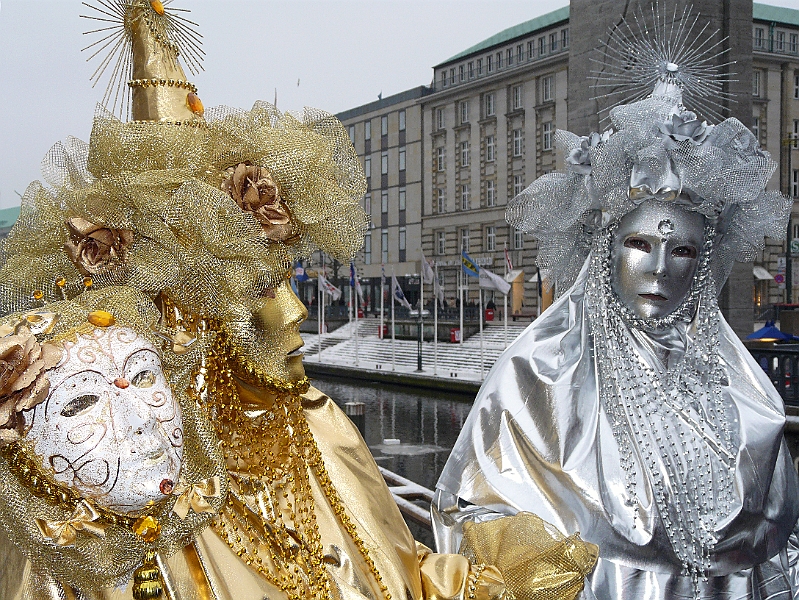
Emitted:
pixel 255 192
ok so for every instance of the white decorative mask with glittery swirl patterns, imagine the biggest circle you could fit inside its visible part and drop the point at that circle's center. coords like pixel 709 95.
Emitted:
pixel 110 427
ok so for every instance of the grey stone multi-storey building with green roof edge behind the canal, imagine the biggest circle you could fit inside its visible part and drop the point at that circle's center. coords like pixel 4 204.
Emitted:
pixel 484 130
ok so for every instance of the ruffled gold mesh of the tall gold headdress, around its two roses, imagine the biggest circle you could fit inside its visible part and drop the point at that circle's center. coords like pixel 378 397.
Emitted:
pixel 162 182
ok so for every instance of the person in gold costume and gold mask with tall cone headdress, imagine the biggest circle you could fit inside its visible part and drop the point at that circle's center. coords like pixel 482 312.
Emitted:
pixel 205 211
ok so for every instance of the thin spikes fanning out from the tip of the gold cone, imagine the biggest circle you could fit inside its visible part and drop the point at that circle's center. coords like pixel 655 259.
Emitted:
pixel 176 34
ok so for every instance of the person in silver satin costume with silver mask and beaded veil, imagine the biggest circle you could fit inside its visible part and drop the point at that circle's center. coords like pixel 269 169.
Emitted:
pixel 630 411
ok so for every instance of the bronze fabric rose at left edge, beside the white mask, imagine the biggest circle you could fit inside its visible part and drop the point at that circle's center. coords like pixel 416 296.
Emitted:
pixel 23 381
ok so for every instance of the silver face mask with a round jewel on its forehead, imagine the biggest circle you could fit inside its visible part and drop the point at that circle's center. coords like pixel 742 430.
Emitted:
pixel 654 256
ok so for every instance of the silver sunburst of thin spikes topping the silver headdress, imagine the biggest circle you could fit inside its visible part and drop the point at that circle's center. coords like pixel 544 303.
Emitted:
pixel 650 53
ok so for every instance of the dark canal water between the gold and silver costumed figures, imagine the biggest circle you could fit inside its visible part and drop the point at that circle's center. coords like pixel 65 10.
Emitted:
pixel 409 431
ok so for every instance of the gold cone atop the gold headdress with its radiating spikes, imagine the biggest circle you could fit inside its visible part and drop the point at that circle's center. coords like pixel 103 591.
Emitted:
pixel 138 48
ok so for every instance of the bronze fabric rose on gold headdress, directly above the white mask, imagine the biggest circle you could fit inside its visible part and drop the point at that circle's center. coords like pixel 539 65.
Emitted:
pixel 94 248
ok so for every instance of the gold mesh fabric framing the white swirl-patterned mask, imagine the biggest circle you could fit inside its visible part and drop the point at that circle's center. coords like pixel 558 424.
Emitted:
pixel 94 563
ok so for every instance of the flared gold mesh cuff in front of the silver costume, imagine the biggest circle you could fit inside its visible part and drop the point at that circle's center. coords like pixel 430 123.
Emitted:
pixel 536 560
